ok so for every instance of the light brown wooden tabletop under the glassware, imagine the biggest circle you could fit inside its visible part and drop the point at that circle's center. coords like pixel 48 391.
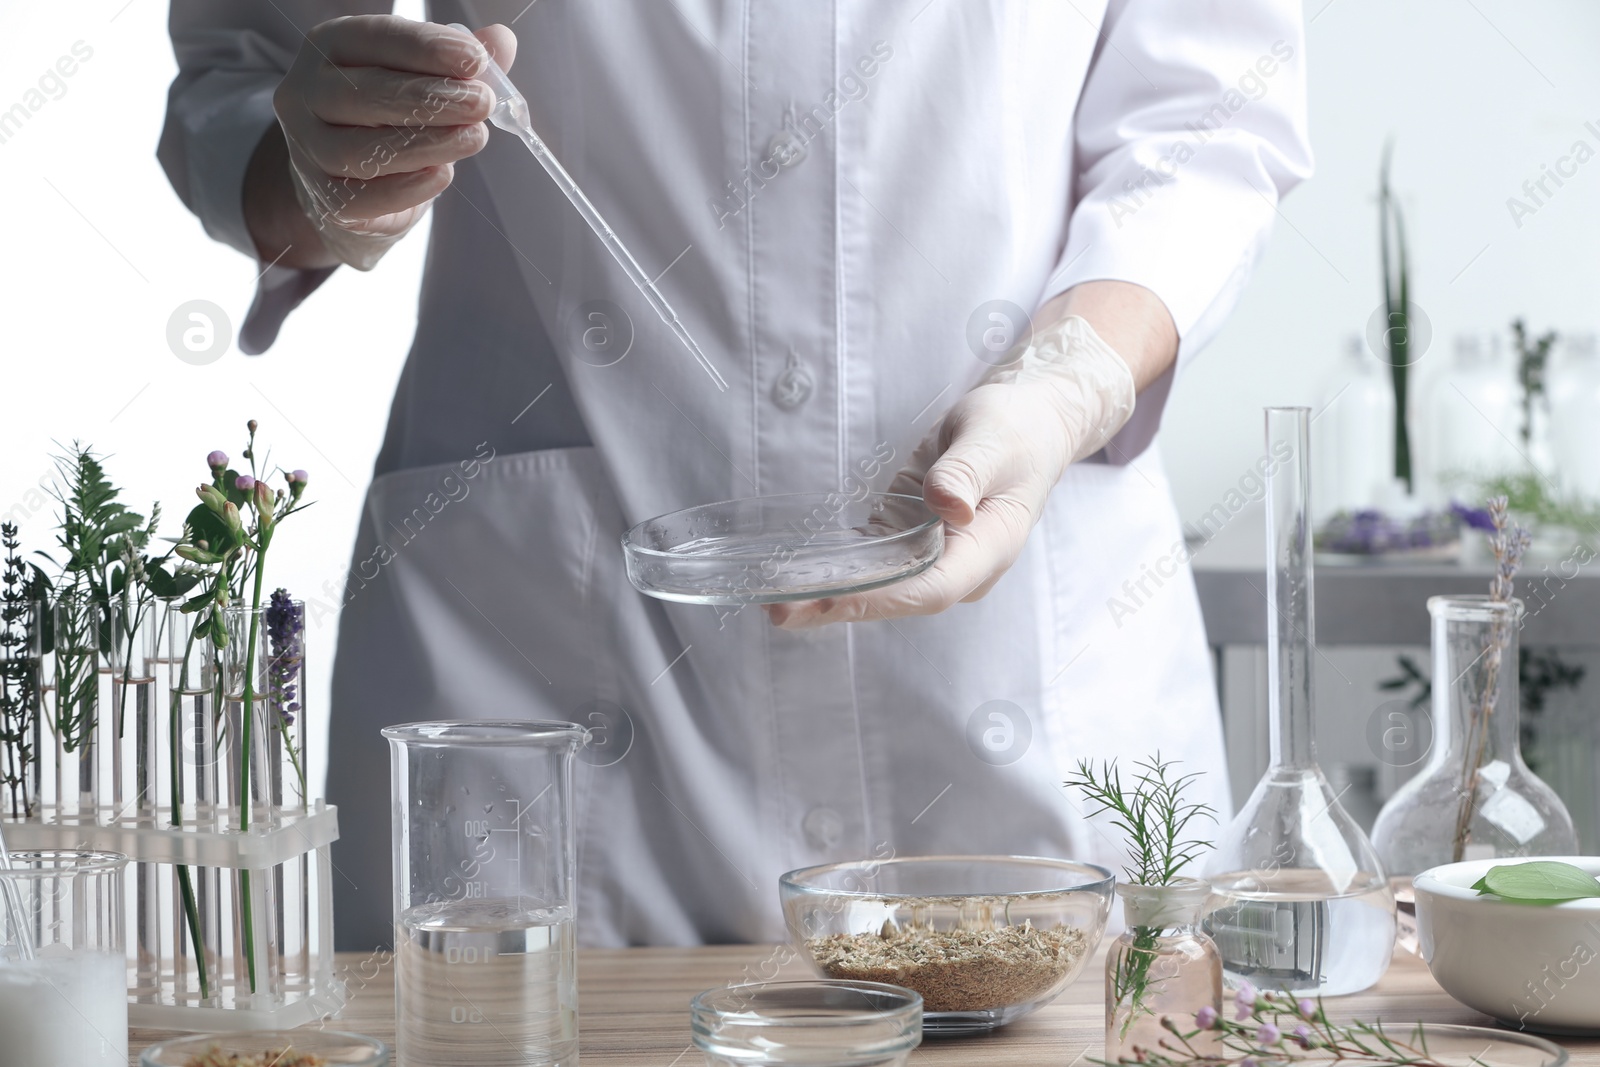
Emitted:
pixel 634 1009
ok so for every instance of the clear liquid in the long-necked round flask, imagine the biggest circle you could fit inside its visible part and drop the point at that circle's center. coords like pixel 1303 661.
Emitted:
pixel 1278 932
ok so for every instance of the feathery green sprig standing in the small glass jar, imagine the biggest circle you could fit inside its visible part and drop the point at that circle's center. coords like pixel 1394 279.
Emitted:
pixel 1156 820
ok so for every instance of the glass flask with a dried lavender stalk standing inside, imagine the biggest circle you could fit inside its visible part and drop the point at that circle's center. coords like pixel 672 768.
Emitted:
pixel 1476 799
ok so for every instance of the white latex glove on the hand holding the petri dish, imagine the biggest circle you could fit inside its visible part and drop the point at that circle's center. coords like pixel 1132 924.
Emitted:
pixel 990 466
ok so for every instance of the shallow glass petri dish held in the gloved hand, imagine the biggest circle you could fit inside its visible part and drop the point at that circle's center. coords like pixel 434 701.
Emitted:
pixel 770 549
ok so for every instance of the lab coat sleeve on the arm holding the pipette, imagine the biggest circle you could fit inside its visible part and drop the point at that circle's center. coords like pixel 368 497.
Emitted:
pixel 231 57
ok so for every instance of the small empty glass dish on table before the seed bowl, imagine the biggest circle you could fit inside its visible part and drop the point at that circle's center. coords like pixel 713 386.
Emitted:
pixel 818 1025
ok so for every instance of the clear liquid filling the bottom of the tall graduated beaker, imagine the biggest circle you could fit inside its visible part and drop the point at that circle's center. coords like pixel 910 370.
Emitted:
pixel 487 983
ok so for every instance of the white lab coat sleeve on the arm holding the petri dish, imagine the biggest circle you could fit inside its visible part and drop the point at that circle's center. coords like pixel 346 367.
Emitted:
pixel 1191 129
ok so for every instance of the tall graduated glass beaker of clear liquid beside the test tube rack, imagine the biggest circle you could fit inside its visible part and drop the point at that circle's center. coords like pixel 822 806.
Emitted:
pixel 484 877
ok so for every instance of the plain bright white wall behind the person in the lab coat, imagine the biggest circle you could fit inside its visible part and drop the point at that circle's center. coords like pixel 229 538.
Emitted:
pixel 98 254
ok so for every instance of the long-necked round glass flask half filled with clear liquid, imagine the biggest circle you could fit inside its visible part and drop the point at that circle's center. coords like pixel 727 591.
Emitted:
pixel 1300 900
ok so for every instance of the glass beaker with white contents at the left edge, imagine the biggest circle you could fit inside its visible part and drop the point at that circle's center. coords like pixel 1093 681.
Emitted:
pixel 63 975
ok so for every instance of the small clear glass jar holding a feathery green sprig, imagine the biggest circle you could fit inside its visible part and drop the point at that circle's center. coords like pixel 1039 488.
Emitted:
pixel 1162 965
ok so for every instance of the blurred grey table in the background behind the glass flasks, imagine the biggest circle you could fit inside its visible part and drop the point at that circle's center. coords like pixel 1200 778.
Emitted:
pixel 1367 620
